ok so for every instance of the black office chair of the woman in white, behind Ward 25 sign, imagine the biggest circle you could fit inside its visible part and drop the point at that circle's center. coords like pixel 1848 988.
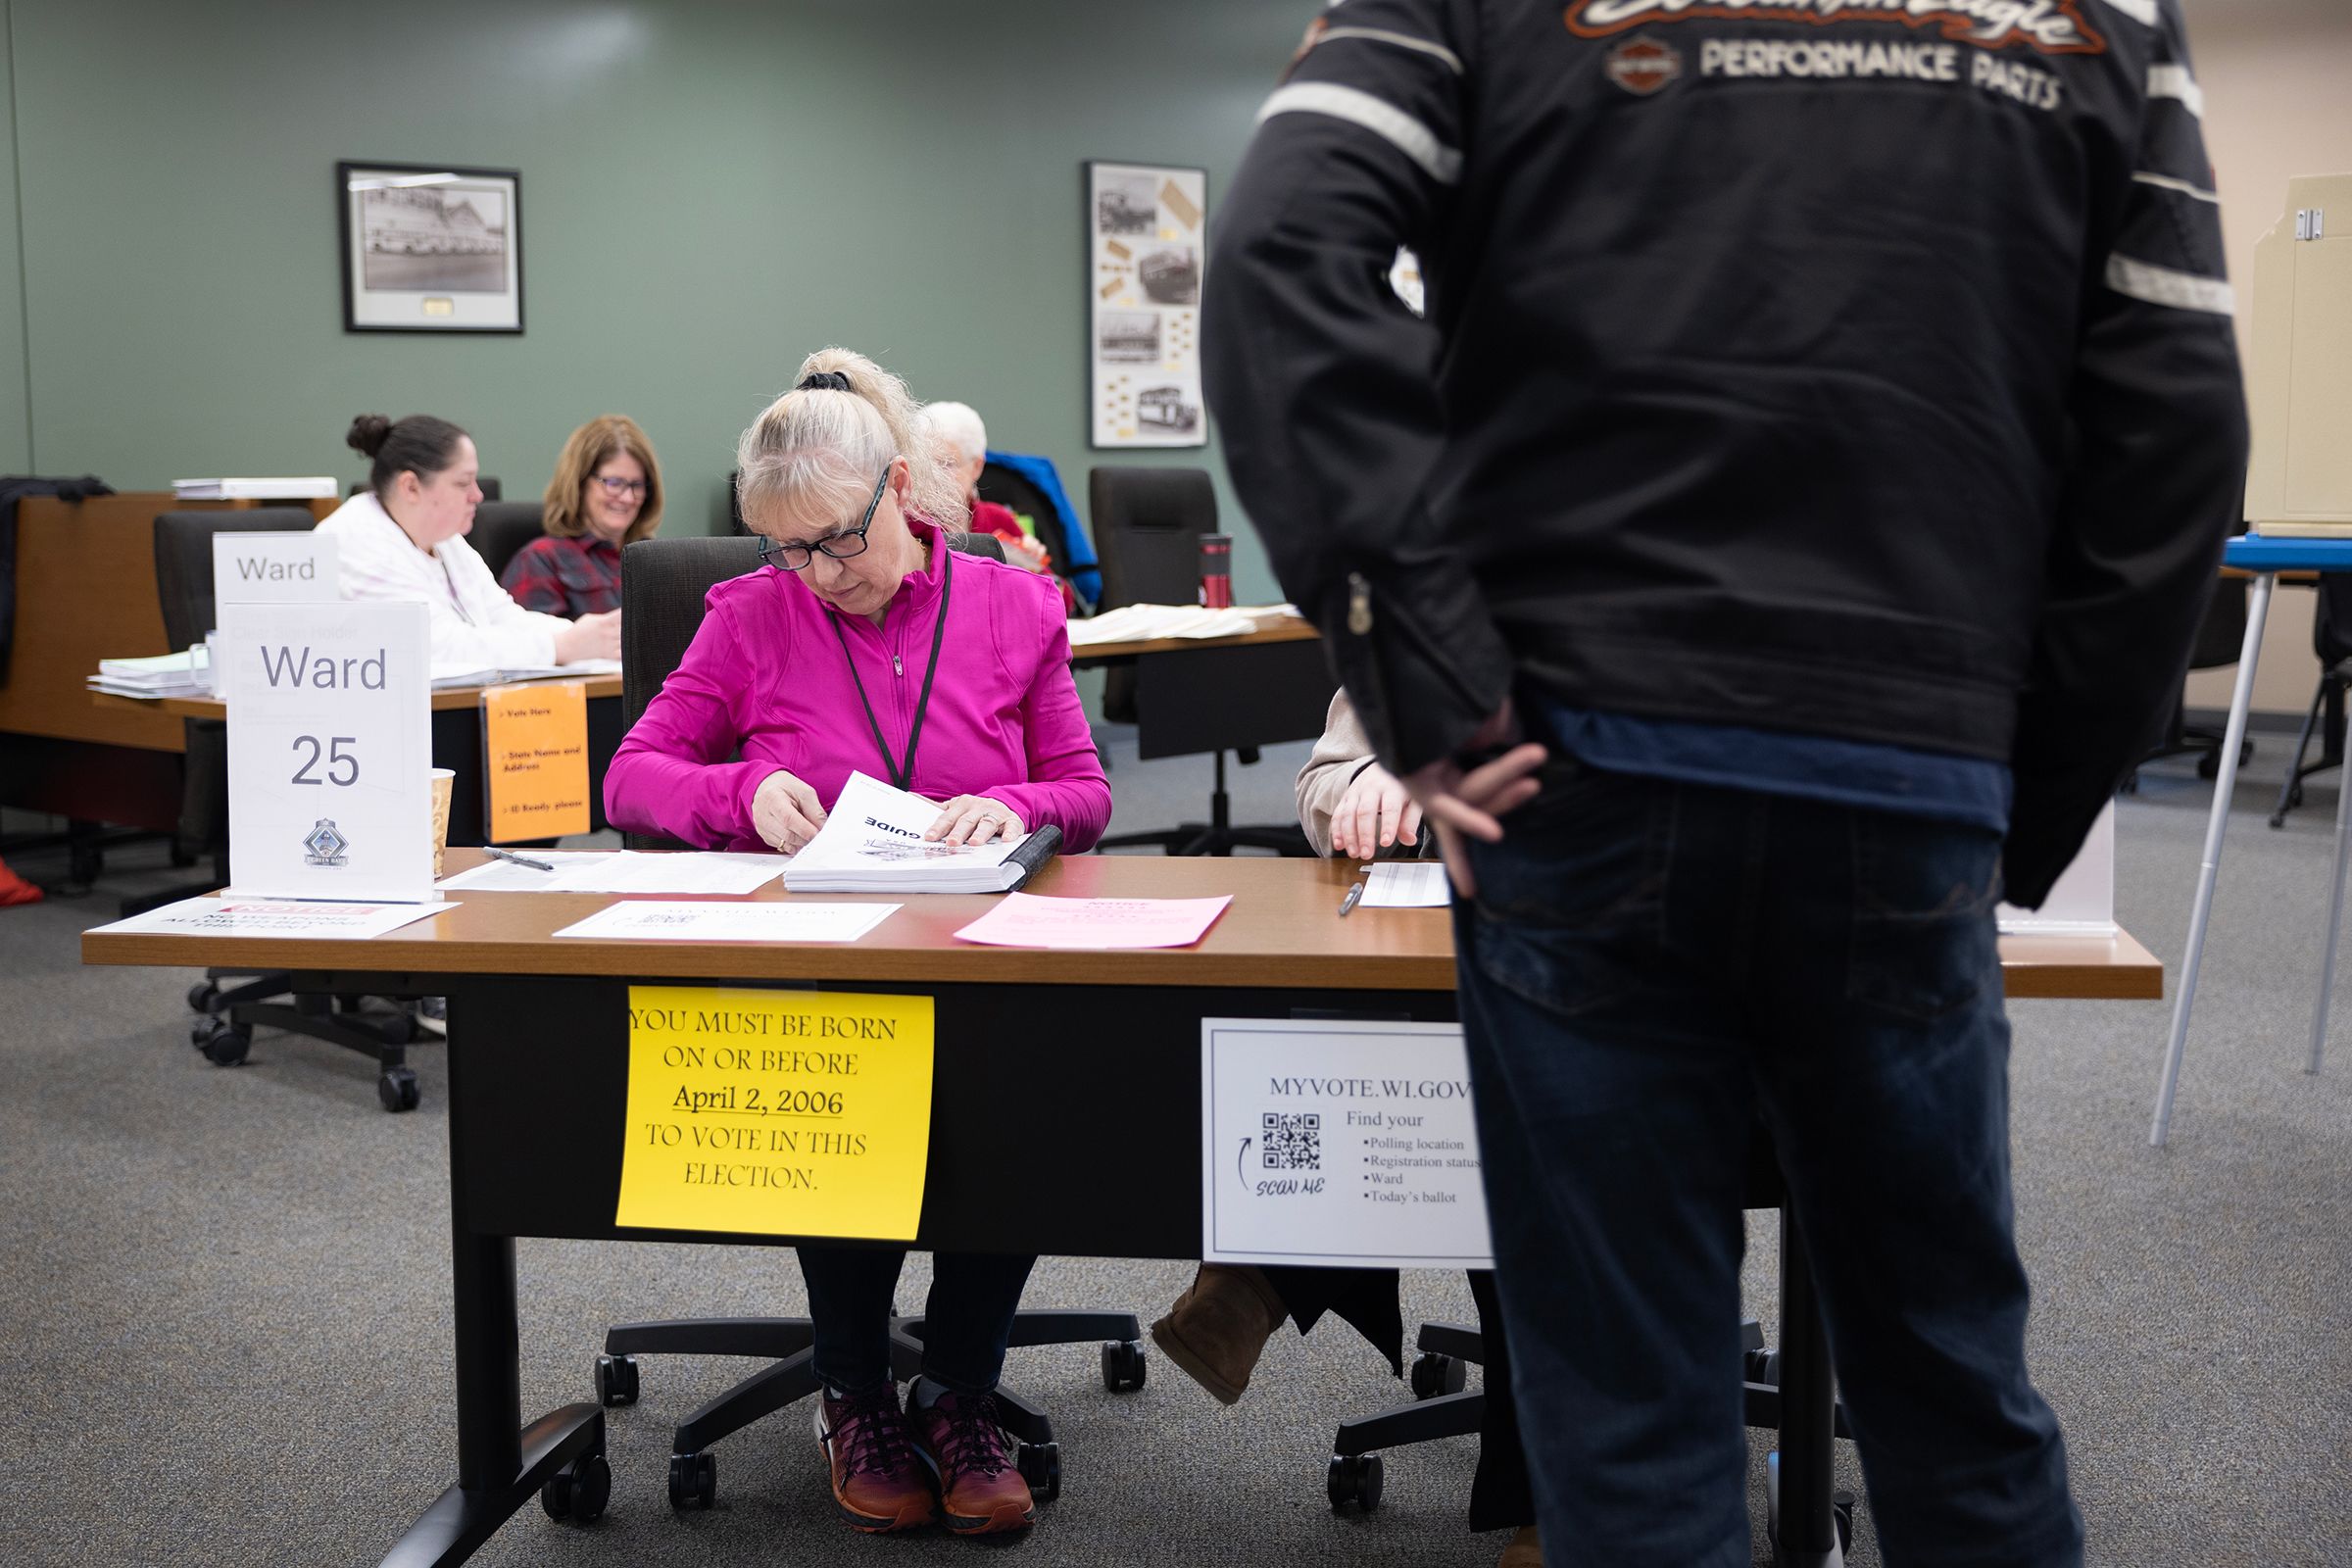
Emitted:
pixel 227 1014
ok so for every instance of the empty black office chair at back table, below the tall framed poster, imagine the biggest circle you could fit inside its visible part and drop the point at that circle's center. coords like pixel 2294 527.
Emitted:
pixel 1147 530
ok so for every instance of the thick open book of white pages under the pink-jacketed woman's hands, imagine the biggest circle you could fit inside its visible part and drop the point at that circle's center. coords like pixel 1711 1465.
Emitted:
pixel 874 845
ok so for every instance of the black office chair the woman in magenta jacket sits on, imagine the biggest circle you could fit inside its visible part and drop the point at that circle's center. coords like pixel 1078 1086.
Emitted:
pixel 662 605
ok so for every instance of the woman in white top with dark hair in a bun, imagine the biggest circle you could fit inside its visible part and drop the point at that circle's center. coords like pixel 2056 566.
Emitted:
pixel 403 540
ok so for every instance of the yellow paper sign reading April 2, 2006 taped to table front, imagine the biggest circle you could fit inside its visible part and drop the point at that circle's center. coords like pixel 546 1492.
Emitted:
pixel 777 1113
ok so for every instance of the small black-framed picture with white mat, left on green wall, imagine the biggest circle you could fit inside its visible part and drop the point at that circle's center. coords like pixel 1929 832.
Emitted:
pixel 429 248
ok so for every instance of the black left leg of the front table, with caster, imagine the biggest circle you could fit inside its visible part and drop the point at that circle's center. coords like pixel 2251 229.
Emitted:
pixel 500 1461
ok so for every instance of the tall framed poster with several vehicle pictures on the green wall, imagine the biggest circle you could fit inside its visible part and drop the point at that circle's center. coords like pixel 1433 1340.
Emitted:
pixel 1147 248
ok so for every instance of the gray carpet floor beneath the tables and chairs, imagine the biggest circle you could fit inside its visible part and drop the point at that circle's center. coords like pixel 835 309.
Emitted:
pixel 225 1292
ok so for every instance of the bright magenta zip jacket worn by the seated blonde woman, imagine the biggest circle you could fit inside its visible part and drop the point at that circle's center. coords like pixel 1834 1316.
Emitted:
pixel 766 681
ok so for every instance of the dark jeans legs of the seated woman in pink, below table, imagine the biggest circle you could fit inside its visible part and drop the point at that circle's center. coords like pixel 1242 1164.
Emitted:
pixel 968 1320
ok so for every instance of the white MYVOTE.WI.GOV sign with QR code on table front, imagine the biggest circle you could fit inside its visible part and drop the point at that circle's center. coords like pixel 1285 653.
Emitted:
pixel 1335 1144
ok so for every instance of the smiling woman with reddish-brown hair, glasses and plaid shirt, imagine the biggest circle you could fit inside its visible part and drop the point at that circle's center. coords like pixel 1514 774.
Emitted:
pixel 606 495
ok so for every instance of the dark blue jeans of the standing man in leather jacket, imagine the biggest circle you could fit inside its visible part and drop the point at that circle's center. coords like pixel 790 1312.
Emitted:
pixel 1650 974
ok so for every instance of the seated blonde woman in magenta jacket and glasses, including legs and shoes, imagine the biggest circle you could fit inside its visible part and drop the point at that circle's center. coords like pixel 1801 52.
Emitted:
pixel 864 645
